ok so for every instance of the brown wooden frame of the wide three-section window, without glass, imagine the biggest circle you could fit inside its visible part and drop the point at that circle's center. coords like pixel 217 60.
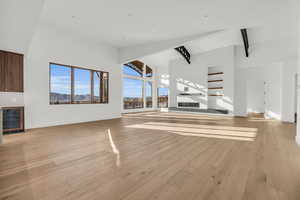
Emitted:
pixel 91 101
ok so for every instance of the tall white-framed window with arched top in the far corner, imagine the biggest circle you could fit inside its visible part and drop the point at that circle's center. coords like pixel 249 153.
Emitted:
pixel 137 86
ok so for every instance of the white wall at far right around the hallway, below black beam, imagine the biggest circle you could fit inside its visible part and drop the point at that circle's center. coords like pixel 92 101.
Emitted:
pixel 275 64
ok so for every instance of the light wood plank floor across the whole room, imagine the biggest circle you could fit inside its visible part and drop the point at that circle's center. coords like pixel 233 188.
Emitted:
pixel 154 156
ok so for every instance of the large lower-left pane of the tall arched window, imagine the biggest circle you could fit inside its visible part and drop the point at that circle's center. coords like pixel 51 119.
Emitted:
pixel 133 93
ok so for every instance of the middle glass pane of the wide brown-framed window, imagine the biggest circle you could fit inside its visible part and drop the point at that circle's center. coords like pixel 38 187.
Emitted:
pixel 82 85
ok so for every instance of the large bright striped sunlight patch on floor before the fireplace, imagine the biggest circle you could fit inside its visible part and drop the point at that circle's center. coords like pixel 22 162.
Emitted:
pixel 221 132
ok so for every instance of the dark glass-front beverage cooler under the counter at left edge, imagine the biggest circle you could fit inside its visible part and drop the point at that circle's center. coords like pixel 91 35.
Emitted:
pixel 13 119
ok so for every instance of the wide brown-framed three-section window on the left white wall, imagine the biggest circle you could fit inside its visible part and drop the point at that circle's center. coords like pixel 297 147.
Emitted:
pixel 75 85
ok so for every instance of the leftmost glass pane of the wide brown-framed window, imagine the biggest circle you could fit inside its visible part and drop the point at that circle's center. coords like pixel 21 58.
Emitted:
pixel 60 85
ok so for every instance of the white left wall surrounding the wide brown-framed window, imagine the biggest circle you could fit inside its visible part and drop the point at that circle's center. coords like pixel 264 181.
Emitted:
pixel 54 45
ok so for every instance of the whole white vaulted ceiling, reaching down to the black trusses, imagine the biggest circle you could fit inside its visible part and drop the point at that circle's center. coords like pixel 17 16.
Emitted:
pixel 141 27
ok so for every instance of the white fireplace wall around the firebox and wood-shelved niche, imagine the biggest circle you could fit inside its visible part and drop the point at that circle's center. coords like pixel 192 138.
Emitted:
pixel 194 76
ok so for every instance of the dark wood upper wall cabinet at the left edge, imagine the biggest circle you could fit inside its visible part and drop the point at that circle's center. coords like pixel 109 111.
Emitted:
pixel 11 72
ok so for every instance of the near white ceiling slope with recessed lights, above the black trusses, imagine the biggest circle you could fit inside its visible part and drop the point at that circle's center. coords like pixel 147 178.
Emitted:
pixel 135 22
